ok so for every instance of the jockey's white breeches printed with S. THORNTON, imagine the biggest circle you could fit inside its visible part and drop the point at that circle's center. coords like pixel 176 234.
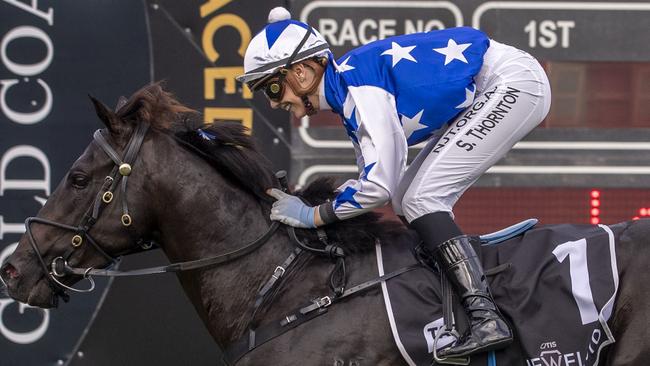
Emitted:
pixel 512 97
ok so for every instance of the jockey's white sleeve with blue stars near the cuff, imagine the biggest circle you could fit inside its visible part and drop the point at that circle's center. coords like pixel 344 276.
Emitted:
pixel 383 152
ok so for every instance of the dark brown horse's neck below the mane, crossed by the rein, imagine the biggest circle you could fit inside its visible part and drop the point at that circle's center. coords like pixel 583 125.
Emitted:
pixel 201 214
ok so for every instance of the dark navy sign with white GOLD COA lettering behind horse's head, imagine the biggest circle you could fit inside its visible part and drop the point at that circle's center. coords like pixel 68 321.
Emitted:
pixel 51 56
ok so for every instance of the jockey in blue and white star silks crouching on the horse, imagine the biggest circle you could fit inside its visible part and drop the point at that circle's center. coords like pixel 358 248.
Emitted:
pixel 468 97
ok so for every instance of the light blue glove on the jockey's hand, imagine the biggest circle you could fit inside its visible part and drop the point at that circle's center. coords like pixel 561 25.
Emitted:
pixel 291 210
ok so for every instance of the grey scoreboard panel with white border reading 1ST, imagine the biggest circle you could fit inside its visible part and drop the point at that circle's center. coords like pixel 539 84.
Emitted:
pixel 578 31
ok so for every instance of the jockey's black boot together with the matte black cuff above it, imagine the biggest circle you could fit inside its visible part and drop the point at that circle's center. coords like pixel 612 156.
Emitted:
pixel 456 257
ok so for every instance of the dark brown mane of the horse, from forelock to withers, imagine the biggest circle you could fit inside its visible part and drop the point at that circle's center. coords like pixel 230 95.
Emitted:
pixel 229 147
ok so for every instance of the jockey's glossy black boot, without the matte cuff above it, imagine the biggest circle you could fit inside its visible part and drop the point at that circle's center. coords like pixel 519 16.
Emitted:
pixel 487 329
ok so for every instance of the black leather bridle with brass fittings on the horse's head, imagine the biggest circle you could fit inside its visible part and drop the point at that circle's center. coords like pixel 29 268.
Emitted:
pixel 120 172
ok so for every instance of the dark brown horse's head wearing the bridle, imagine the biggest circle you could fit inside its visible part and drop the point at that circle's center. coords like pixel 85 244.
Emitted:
pixel 104 206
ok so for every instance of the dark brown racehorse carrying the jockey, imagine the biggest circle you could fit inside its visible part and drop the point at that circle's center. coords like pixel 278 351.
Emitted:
pixel 199 193
